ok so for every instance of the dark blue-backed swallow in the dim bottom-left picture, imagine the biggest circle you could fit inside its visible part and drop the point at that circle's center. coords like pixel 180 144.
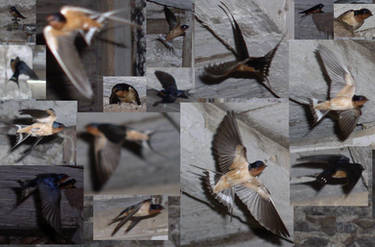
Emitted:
pixel 48 186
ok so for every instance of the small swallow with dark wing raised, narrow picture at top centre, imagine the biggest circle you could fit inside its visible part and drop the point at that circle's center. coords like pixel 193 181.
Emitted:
pixel 176 29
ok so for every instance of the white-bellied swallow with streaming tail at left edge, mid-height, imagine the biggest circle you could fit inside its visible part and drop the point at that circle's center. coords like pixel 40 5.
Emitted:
pixel 44 125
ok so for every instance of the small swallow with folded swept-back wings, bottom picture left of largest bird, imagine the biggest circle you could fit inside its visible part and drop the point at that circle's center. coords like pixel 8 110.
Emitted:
pixel 142 210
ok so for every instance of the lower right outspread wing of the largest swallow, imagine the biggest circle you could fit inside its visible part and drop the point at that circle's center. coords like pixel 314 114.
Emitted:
pixel 258 200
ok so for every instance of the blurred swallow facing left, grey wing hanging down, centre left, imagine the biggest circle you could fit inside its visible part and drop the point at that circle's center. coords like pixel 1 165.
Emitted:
pixel 107 146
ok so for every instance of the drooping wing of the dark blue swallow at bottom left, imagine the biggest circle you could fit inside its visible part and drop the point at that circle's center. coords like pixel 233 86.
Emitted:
pixel 50 205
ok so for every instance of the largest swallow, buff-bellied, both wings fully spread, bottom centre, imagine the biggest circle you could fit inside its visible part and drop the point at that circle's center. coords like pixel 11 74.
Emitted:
pixel 237 176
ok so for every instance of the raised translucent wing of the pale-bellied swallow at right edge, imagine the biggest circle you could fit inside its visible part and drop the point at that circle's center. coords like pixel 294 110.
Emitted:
pixel 338 72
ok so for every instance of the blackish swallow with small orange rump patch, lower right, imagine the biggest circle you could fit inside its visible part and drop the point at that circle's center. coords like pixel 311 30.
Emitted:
pixel 337 170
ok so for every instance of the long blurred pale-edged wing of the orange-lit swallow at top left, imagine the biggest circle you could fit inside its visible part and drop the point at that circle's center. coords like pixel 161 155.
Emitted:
pixel 63 48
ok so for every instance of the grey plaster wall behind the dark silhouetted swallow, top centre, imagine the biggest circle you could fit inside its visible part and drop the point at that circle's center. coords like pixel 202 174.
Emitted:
pixel 261 34
